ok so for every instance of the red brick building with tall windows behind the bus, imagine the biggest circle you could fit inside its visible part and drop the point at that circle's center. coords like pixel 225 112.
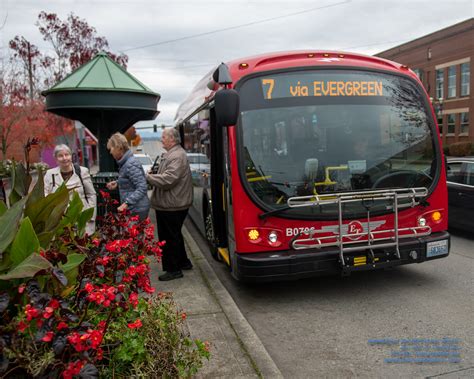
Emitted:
pixel 443 60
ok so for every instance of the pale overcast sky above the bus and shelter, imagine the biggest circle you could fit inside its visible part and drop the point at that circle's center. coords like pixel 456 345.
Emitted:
pixel 153 33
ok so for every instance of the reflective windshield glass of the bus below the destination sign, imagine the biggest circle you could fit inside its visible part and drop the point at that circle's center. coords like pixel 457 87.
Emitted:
pixel 318 149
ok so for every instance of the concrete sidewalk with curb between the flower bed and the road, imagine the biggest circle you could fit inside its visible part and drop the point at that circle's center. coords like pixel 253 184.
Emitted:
pixel 236 351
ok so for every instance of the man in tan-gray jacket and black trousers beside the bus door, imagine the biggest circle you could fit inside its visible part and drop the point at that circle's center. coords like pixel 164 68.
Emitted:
pixel 171 198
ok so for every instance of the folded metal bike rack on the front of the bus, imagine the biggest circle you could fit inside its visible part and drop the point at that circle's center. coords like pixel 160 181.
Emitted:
pixel 347 242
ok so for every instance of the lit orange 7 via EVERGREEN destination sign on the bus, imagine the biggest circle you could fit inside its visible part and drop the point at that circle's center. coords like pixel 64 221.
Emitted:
pixel 322 85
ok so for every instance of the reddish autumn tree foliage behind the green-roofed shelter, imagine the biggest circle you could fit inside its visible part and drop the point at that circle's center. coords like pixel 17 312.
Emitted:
pixel 30 71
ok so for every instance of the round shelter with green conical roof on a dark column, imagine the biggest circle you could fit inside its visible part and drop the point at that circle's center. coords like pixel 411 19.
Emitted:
pixel 104 97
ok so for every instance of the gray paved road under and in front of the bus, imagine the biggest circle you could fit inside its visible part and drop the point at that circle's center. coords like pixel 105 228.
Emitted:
pixel 321 327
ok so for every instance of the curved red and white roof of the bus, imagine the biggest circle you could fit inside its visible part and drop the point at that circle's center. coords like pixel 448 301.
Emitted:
pixel 273 61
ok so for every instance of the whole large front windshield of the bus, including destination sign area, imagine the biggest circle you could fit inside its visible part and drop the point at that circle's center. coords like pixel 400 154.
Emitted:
pixel 329 131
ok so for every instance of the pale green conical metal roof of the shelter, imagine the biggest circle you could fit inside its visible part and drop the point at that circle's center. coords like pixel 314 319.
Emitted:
pixel 101 74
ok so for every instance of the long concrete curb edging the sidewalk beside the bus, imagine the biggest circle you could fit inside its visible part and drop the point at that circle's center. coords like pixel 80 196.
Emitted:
pixel 248 339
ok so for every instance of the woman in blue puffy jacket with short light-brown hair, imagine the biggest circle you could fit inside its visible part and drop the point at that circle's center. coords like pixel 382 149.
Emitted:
pixel 131 181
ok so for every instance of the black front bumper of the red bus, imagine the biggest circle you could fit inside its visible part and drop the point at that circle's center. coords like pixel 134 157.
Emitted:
pixel 292 264
